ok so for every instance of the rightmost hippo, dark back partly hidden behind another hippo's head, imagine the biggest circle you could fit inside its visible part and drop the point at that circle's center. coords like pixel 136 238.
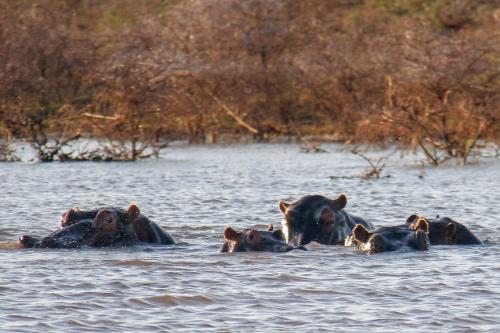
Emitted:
pixel 445 231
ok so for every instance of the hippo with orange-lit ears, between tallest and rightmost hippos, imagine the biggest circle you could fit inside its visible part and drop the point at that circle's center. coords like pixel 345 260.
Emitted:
pixel 392 238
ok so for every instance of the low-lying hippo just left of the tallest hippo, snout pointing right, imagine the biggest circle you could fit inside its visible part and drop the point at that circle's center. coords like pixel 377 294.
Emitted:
pixel 253 240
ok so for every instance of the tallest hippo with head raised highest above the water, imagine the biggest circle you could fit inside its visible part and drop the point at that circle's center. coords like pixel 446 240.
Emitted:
pixel 320 219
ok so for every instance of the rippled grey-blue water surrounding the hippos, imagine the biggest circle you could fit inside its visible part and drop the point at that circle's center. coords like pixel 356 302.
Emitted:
pixel 195 192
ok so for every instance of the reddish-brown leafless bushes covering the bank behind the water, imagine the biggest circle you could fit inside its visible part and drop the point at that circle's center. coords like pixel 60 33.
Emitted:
pixel 135 75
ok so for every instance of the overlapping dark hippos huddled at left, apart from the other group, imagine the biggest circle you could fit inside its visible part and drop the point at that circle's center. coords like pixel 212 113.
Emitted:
pixel 103 227
